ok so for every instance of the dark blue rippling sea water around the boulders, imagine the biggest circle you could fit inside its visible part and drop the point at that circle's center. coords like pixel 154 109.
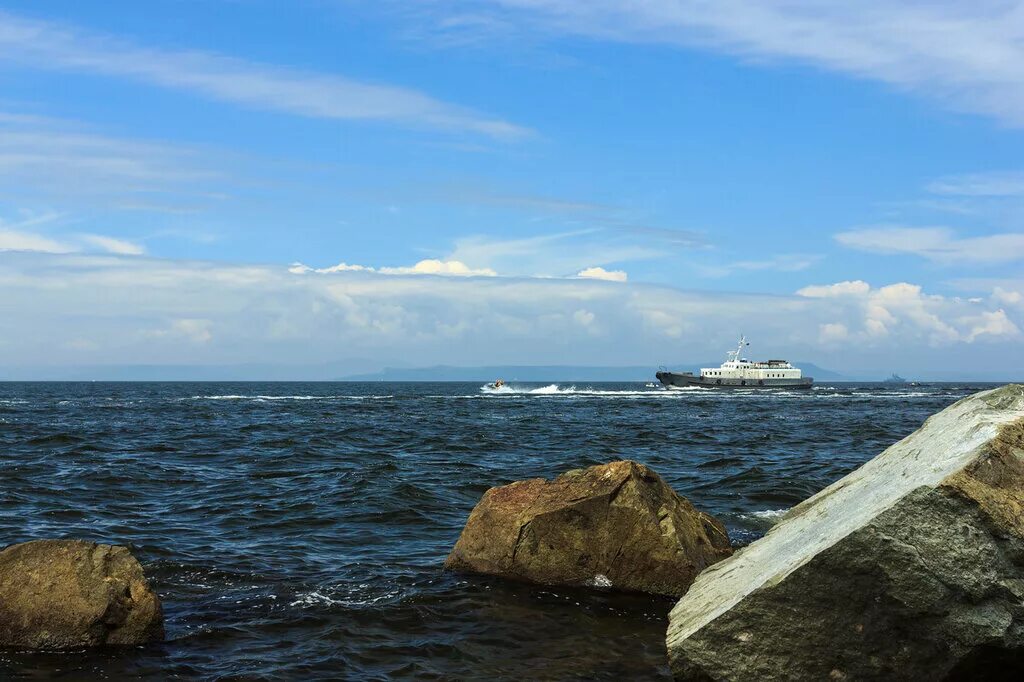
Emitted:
pixel 296 531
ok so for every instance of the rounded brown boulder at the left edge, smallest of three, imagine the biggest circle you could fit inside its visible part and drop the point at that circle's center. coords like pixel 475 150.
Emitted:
pixel 62 594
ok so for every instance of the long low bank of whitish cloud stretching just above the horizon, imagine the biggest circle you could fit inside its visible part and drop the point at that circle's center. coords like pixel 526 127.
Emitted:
pixel 140 310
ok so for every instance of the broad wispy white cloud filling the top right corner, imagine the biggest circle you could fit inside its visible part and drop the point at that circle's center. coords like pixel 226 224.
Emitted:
pixel 965 56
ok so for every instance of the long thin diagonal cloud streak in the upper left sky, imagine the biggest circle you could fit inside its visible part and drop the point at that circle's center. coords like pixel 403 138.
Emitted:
pixel 57 48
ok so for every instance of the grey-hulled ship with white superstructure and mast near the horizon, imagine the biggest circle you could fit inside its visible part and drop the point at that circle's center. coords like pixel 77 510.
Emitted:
pixel 738 372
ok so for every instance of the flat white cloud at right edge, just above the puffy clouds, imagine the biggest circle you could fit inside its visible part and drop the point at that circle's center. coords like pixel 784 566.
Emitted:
pixel 936 244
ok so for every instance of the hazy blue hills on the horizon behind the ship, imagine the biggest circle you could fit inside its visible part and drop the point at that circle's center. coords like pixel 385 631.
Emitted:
pixel 552 373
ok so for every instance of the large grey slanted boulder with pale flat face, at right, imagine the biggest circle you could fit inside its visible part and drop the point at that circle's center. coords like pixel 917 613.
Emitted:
pixel 912 568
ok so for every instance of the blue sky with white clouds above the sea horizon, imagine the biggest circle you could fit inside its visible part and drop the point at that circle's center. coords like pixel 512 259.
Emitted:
pixel 373 184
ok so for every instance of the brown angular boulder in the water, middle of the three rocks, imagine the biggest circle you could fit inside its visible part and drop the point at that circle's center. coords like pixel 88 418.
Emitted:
pixel 616 526
